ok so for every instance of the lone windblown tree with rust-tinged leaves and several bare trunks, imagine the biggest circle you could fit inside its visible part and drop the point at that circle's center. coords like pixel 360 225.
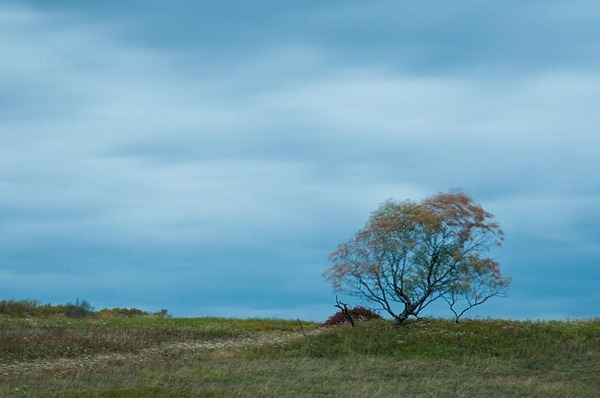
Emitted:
pixel 411 254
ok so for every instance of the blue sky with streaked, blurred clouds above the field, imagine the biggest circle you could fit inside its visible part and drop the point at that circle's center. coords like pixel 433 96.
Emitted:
pixel 206 157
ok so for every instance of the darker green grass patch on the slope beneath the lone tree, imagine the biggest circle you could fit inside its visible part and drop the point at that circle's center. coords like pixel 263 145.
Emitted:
pixel 543 342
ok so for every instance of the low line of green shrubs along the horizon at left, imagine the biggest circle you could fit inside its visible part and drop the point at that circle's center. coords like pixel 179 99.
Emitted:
pixel 77 310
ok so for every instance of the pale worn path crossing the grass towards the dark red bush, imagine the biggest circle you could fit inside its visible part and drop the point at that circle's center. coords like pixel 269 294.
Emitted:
pixel 59 366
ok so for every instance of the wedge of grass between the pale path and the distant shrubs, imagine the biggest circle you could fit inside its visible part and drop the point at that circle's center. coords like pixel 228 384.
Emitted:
pixel 38 338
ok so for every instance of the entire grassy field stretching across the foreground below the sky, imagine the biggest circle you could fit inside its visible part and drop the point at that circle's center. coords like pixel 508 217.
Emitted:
pixel 212 357
